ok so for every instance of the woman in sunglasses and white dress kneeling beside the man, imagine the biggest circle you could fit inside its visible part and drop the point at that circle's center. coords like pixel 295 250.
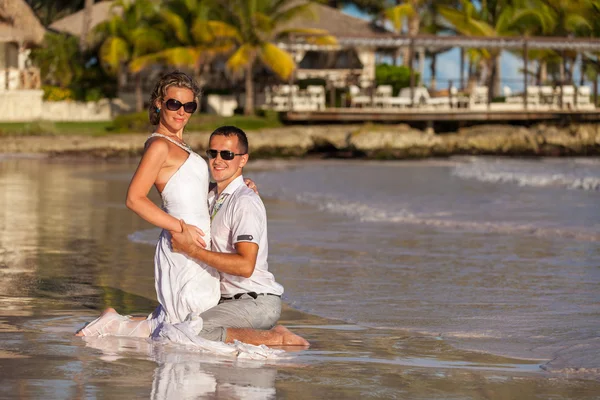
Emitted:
pixel 183 286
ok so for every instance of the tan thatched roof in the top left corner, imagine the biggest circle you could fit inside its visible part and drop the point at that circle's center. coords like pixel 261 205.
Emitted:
pixel 18 23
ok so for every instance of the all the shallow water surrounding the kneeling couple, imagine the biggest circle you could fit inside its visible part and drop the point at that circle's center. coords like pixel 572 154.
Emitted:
pixel 463 278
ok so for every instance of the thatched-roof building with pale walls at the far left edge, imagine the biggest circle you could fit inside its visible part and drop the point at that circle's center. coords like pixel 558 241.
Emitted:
pixel 20 29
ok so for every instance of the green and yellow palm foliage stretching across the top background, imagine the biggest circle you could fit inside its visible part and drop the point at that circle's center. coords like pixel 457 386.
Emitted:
pixel 242 36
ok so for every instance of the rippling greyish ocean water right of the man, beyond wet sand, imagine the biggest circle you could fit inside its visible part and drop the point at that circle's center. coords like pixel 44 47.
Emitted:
pixel 497 255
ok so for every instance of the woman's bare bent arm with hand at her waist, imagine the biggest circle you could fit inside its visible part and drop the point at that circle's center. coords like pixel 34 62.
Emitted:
pixel 145 176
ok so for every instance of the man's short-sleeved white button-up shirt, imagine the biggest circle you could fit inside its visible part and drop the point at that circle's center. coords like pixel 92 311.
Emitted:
pixel 241 217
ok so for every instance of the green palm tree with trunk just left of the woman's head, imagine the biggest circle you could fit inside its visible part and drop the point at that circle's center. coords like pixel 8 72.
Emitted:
pixel 128 35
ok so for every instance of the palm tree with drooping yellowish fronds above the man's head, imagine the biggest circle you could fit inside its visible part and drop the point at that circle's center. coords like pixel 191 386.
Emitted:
pixel 254 25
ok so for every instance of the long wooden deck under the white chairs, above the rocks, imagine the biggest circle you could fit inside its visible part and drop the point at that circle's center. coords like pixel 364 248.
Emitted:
pixel 445 115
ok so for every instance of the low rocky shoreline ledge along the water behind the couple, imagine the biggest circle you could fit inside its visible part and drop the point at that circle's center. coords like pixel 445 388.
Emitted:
pixel 375 142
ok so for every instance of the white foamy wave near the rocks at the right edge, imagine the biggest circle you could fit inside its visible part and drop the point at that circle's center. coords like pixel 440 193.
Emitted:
pixel 526 175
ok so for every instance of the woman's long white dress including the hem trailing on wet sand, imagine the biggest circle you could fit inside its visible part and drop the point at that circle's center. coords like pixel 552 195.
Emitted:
pixel 185 288
